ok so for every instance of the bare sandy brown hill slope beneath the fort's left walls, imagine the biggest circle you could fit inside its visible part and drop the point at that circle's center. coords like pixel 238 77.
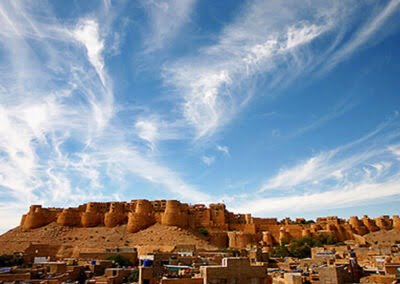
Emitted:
pixel 74 239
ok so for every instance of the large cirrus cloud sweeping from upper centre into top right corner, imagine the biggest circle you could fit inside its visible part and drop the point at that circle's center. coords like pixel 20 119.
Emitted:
pixel 268 41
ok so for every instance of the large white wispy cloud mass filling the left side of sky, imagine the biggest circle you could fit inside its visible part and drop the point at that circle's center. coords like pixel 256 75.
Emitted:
pixel 60 141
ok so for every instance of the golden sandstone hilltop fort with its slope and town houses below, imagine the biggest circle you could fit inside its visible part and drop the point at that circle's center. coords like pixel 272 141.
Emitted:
pixel 166 241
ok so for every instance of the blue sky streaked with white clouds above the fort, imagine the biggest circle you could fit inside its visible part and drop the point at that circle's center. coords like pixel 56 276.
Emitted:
pixel 277 108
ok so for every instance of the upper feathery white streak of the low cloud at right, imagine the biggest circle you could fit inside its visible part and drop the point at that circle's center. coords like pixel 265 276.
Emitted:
pixel 341 164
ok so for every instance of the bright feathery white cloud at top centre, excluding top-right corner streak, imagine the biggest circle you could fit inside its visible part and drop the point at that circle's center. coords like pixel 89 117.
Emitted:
pixel 213 84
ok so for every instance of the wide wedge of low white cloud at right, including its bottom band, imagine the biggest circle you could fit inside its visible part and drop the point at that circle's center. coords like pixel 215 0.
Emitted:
pixel 358 173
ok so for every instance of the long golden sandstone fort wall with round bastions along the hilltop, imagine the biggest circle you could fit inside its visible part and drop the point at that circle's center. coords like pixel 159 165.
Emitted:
pixel 224 227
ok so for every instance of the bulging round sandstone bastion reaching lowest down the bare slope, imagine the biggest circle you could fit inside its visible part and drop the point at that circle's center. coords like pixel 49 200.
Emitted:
pixel 142 218
